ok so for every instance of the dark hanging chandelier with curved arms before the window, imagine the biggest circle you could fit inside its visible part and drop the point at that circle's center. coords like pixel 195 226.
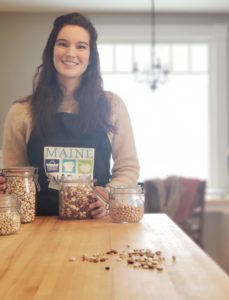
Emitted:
pixel 155 73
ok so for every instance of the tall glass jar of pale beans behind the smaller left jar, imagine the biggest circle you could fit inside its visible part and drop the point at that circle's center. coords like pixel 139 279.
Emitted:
pixel 21 182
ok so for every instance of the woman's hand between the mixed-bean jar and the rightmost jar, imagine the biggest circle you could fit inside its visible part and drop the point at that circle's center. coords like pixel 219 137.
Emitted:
pixel 99 207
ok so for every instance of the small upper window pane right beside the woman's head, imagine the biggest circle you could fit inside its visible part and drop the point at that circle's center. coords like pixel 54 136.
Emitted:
pixel 106 54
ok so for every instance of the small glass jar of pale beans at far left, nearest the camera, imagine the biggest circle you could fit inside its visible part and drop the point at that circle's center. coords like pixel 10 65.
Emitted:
pixel 9 214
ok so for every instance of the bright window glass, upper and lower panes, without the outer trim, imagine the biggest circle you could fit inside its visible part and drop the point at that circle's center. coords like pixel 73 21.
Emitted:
pixel 170 125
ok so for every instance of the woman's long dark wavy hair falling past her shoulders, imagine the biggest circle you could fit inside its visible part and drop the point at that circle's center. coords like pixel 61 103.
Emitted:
pixel 94 108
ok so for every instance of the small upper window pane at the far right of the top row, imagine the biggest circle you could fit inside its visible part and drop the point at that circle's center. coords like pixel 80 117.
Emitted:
pixel 199 57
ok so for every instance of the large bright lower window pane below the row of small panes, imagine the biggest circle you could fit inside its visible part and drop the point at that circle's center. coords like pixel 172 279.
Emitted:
pixel 170 125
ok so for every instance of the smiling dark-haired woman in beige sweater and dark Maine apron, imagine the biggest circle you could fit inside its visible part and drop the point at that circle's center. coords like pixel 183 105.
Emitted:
pixel 67 113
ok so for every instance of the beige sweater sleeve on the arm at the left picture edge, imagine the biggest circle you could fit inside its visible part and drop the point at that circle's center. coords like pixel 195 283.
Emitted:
pixel 15 135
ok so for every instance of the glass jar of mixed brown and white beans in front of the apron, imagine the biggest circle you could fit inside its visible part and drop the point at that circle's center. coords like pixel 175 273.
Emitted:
pixel 75 196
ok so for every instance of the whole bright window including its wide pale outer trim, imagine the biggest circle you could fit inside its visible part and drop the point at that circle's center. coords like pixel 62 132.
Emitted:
pixel 181 128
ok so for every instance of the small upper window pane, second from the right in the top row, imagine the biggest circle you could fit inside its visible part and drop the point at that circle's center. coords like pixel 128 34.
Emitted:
pixel 180 57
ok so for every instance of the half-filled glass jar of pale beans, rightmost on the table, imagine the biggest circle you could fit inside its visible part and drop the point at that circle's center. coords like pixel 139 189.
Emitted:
pixel 126 204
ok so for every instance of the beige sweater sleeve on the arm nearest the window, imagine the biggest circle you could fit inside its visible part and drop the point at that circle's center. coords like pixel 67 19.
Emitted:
pixel 126 168
